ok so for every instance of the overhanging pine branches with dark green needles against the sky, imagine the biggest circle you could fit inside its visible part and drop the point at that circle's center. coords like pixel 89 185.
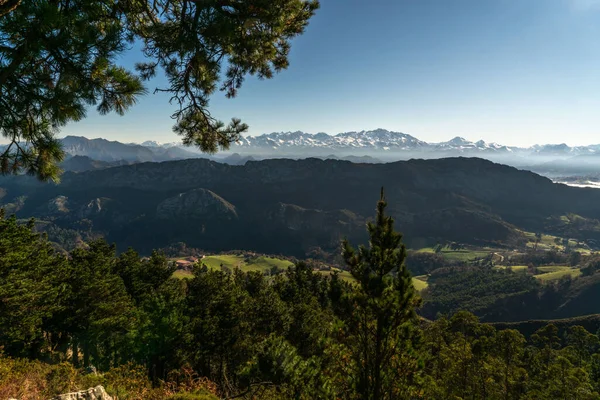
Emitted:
pixel 58 57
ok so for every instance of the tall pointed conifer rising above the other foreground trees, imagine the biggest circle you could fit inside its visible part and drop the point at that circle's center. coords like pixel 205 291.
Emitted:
pixel 384 304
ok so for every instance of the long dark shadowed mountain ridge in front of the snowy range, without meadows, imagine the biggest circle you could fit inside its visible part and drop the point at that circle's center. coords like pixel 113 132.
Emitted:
pixel 295 206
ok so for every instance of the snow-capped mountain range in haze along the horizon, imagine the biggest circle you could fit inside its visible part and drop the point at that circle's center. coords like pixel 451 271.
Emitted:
pixel 380 143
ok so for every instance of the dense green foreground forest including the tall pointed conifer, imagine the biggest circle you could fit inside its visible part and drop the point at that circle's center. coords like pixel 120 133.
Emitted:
pixel 95 316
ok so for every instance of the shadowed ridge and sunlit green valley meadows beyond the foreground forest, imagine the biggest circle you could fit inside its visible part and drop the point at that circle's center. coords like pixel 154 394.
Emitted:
pixel 482 236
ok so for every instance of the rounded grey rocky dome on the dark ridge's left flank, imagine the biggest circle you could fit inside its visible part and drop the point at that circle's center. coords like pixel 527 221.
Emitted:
pixel 196 204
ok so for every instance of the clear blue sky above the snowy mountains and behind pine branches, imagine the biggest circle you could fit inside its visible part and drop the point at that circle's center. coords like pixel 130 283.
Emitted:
pixel 517 72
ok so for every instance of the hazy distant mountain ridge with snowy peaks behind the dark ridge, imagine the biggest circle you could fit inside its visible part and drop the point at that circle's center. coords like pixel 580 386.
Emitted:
pixel 374 146
